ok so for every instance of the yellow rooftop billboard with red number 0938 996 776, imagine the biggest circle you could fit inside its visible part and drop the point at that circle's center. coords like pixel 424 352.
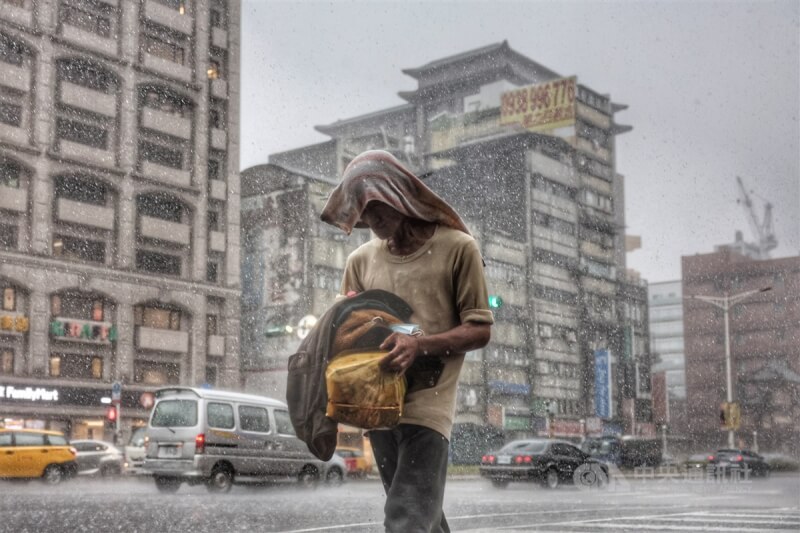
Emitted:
pixel 541 107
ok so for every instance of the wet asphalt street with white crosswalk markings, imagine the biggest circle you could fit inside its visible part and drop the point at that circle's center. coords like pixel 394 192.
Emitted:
pixel 471 505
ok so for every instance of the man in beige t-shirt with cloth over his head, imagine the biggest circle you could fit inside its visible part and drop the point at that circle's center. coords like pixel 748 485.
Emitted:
pixel 424 254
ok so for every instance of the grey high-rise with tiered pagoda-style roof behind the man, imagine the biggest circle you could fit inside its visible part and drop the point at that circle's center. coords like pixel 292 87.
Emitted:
pixel 546 208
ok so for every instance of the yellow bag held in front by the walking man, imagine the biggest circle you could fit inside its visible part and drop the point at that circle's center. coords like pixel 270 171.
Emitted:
pixel 361 394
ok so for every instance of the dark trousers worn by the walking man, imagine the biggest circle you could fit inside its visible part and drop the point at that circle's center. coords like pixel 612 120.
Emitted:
pixel 412 461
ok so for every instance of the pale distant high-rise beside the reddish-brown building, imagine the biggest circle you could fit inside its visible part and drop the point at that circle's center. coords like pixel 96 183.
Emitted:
pixel 665 301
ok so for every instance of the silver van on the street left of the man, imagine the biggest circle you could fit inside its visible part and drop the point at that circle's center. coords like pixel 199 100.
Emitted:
pixel 220 438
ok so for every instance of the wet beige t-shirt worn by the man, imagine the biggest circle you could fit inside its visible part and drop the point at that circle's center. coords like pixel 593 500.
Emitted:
pixel 444 284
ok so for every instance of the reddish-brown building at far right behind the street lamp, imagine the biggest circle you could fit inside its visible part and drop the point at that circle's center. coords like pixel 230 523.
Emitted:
pixel 765 359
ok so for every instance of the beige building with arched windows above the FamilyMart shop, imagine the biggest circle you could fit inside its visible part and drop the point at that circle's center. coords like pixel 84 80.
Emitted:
pixel 119 205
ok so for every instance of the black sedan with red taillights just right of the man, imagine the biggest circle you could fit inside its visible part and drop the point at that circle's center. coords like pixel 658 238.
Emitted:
pixel 544 461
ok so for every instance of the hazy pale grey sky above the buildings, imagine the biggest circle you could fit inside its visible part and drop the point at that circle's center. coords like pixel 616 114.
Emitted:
pixel 713 90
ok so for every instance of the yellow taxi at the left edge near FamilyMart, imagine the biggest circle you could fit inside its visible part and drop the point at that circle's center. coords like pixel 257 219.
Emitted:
pixel 33 453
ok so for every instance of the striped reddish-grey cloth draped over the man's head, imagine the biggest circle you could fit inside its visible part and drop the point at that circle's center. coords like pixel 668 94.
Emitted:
pixel 376 175
